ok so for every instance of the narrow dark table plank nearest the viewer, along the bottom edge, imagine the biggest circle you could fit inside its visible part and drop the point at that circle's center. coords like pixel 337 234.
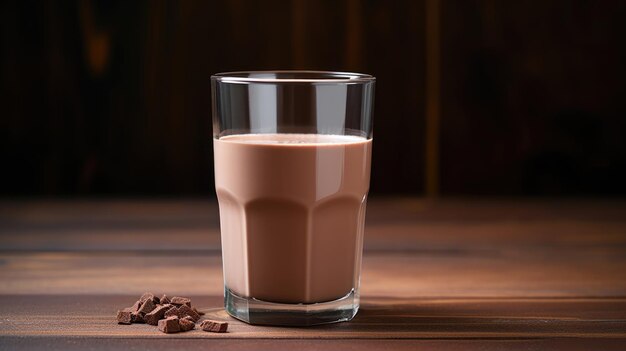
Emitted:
pixel 67 344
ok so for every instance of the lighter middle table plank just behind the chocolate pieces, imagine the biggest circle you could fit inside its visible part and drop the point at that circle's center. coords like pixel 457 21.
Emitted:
pixel 419 274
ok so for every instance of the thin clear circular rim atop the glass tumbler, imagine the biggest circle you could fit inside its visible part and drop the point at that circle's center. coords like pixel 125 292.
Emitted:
pixel 292 76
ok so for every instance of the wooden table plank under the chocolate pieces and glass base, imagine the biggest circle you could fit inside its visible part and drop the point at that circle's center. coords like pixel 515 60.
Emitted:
pixel 379 318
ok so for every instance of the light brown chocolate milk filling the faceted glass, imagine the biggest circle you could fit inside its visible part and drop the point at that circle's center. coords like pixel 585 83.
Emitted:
pixel 292 212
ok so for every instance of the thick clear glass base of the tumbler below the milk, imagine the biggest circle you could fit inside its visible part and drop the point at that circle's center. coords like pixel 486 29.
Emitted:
pixel 253 311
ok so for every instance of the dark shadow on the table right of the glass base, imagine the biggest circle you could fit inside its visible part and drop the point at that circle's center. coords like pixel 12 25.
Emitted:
pixel 487 318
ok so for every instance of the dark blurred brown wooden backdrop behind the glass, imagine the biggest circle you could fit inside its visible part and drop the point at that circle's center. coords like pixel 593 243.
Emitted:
pixel 111 98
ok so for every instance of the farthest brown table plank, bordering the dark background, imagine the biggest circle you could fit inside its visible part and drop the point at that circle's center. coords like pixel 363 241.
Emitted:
pixel 397 224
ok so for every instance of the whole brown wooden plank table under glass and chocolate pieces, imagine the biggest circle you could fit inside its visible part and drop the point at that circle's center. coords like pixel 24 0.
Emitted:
pixel 438 275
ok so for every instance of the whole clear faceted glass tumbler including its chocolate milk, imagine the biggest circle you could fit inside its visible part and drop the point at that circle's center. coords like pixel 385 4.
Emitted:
pixel 292 172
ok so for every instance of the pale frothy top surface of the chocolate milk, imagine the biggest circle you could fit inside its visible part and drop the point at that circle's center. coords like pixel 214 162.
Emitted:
pixel 293 139
